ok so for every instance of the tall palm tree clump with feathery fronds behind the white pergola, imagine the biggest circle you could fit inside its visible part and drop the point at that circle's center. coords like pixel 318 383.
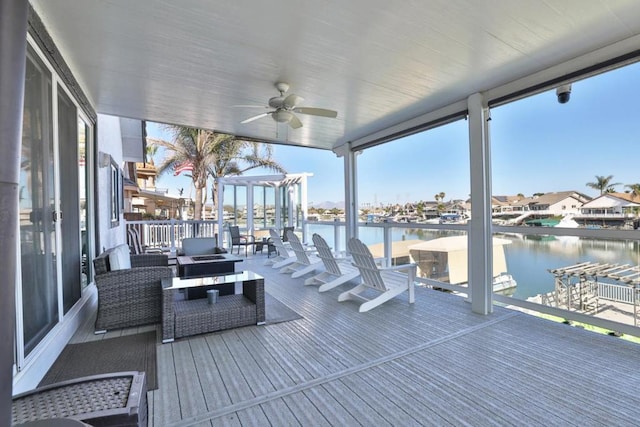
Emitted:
pixel 212 154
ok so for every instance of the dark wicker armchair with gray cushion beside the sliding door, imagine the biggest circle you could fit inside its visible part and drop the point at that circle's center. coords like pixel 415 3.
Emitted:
pixel 130 297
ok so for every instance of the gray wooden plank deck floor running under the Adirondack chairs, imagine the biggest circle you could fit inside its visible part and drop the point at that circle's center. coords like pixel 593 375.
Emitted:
pixel 433 363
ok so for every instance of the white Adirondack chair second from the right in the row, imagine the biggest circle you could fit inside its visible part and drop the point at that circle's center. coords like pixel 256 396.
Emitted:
pixel 338 270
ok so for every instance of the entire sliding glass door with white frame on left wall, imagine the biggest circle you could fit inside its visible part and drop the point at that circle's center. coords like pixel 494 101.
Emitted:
pixel 54 206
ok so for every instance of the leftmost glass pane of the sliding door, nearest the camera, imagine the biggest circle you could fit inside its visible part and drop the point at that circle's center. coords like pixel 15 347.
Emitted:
pixel 37 208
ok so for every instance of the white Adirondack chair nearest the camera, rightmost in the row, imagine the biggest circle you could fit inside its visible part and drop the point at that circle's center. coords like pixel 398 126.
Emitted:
pixel 389 282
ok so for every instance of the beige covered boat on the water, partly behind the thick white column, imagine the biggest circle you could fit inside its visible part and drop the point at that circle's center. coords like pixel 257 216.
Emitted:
pixel 445 259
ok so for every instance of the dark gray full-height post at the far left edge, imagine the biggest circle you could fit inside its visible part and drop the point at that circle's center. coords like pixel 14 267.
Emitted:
pixel 13 34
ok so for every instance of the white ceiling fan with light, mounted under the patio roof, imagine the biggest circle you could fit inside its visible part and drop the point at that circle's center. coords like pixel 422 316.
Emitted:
pixel 285 106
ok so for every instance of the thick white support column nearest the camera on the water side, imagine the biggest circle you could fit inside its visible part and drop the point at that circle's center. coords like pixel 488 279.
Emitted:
pixel 480 253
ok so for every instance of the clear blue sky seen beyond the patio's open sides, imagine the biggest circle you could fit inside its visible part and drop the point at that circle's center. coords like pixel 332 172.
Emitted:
pixel 537 145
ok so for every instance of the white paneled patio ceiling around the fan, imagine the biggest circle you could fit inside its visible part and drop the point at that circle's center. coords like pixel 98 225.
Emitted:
pixel 377 63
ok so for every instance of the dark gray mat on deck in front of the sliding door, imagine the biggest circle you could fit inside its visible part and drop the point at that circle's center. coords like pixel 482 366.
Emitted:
pixel 127 353
